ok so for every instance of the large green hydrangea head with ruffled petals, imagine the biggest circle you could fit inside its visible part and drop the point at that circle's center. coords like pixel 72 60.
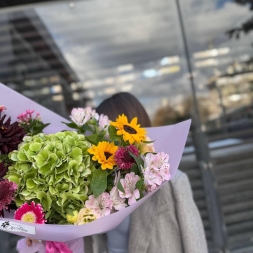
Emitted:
pixel 53 170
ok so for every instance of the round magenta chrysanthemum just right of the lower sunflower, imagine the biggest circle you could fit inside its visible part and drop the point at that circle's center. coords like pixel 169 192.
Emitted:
pixel 122 157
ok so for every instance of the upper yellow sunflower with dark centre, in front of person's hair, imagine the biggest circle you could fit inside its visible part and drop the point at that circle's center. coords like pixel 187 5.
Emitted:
pixel 131 132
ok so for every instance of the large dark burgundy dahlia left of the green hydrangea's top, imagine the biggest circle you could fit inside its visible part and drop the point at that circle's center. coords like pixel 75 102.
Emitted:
pixel 11 135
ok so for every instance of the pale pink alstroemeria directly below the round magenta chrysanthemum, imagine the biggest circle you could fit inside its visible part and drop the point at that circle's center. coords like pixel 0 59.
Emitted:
pixel 129 185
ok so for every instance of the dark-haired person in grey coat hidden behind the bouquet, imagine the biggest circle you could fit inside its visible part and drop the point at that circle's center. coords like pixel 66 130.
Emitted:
pixel 169 221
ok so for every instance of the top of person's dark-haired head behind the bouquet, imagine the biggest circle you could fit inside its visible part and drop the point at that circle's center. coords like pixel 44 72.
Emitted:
pixel 124 103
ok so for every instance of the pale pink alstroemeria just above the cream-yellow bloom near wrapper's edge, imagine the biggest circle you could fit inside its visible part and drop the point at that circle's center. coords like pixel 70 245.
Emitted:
pixel 101 206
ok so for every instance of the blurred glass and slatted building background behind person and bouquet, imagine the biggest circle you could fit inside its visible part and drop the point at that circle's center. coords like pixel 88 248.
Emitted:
pixel 181 58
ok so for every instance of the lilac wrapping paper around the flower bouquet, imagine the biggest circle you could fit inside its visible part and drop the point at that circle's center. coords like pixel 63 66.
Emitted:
pixel 169 139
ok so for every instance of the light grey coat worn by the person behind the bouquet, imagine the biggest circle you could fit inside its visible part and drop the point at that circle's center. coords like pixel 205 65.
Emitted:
pixel 169 222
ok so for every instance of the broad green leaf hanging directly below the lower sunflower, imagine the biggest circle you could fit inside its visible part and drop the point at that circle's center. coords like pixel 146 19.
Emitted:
pixel 99 182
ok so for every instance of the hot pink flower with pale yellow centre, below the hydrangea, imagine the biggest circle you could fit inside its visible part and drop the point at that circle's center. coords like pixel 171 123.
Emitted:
pixel 30 213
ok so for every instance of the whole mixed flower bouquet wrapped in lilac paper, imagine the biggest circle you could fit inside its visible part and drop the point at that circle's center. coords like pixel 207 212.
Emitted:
pixel 67 181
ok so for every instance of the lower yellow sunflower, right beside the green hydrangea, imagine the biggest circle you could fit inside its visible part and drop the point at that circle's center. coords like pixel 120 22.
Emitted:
pixel 104 154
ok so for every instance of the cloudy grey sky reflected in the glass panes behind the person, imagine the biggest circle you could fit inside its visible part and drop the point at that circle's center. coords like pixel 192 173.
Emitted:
pixel 96 37
